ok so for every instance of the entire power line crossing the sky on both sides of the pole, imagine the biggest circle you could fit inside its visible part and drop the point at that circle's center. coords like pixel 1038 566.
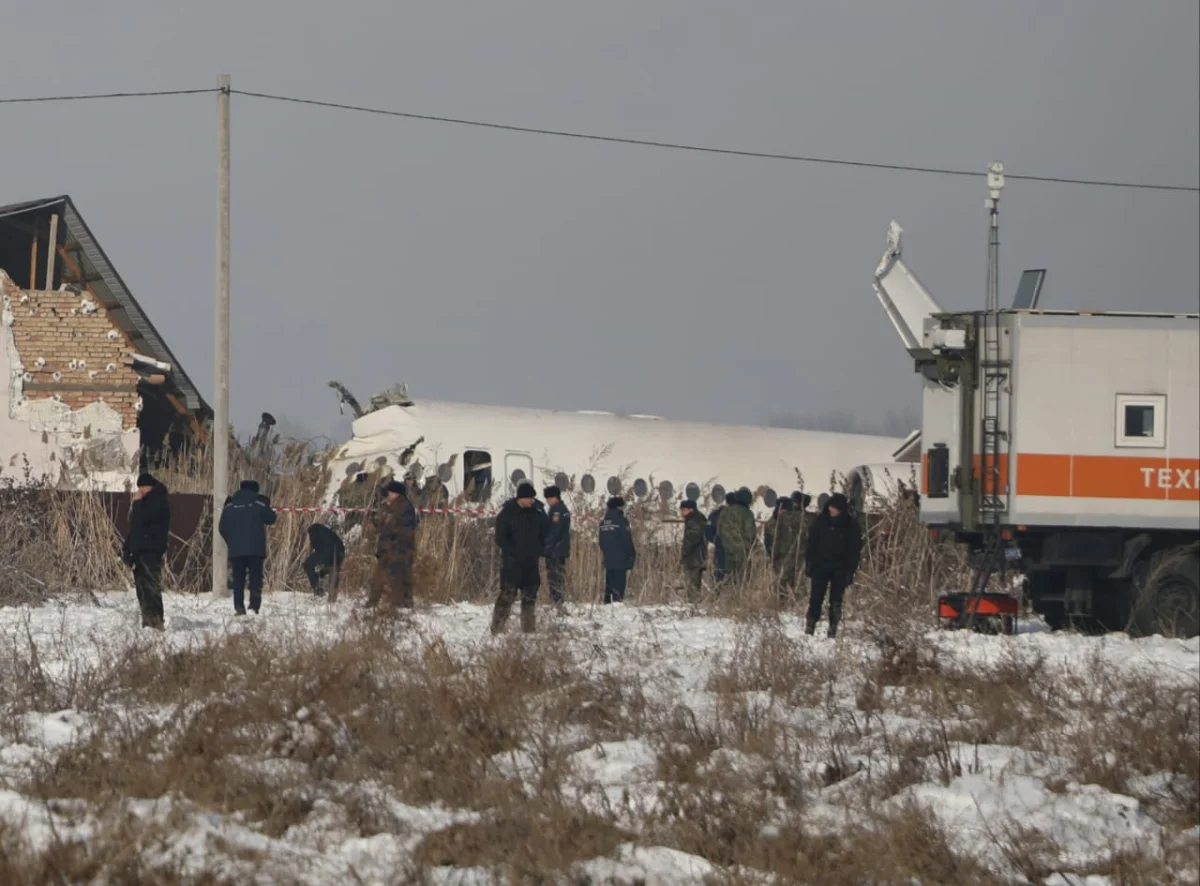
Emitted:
pixel 614 140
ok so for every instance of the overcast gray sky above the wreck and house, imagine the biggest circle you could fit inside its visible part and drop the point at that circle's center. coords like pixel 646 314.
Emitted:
pixel 505 268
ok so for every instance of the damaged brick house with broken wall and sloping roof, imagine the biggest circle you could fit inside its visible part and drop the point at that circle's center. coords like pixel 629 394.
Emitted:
pixel 93 392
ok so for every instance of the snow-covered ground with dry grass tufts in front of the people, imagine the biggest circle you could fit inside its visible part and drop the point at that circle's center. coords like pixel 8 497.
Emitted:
pixel 1017 751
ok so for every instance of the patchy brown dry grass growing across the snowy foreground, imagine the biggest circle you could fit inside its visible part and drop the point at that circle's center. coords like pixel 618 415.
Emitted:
pixel 267 733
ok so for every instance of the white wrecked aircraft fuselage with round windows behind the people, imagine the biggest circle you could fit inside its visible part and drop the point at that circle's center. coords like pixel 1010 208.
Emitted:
pixel 482 453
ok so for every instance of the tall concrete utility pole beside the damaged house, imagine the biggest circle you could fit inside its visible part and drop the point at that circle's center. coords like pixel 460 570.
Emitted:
pixel 221 344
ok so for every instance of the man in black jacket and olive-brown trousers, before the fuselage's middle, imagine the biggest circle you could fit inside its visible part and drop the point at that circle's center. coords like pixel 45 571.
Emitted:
pixel 521 532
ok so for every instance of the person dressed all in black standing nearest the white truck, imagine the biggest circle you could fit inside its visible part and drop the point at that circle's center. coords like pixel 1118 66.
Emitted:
pixel 831 560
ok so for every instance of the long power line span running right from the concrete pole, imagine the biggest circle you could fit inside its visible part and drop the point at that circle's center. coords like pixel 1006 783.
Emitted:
pixel 705 149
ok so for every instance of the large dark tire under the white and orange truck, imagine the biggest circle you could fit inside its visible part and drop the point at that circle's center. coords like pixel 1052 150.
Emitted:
pixel 1168 595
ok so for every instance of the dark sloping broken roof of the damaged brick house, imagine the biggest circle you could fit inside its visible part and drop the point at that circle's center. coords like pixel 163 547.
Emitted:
pixel 109 288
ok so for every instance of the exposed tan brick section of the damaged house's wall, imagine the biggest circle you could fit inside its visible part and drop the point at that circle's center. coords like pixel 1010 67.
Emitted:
pixel 75 338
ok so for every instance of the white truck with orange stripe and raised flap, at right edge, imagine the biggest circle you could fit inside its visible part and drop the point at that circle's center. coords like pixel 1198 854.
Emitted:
pixel 1071 436
